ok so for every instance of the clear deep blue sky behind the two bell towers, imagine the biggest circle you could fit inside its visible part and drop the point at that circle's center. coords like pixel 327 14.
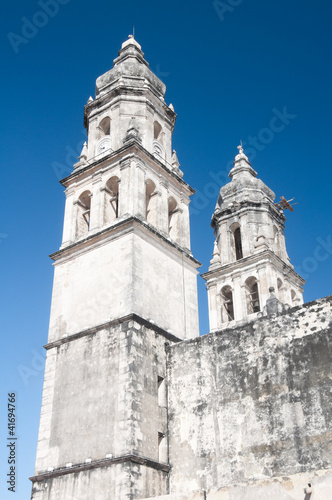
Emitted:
pixel 228 72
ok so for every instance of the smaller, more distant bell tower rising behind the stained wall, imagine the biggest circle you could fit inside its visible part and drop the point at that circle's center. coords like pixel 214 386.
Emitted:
pixel 249 254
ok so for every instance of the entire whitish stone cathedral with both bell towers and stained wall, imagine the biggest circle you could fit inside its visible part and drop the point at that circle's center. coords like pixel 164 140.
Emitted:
pixel 136 405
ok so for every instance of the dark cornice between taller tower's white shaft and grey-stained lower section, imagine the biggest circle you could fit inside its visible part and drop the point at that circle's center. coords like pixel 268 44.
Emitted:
pixel 109 324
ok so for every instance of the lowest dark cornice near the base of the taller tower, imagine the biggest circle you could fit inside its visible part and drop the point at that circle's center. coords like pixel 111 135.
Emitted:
pixel 105 462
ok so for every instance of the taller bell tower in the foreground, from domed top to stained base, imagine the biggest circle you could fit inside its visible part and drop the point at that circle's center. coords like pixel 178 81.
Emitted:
pixel 124 287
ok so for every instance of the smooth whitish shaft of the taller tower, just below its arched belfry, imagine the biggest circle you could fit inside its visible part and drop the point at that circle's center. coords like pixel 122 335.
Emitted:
pixel 133 272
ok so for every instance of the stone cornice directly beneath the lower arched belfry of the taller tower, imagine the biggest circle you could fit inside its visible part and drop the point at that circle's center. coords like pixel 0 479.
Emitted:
pixel 122 225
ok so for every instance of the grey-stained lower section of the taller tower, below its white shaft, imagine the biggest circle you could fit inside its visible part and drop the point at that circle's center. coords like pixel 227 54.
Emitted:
pixel 101 402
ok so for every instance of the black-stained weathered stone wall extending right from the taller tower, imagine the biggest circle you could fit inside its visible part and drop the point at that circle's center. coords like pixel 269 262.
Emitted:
pixel 252 402
